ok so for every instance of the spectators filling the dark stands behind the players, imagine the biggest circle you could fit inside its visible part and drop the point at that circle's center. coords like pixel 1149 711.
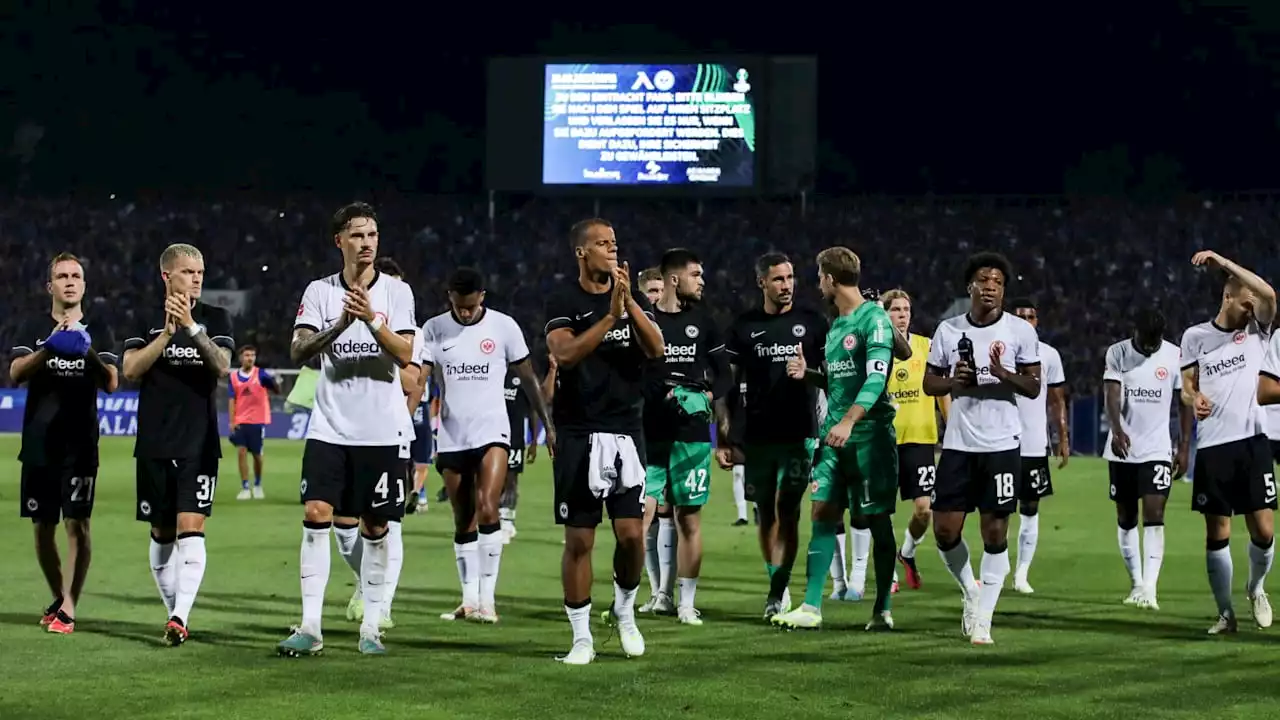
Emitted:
pixel 1087 263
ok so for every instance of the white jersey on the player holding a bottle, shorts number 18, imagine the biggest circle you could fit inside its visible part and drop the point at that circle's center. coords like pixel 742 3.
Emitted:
pixel 986 420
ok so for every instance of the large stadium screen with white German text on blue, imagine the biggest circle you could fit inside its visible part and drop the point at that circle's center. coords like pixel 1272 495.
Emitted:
pixel 723 126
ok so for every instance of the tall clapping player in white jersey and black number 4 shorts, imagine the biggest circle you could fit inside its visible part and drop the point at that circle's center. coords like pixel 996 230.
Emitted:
pixel 360 322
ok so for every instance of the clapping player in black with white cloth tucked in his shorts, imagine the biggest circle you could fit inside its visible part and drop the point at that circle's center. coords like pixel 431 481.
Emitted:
pixel 602 338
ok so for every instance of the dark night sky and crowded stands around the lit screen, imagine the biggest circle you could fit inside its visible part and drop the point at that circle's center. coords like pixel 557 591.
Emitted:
pixel 1098 151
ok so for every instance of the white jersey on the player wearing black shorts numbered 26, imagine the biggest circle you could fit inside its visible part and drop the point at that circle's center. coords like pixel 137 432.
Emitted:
pixel 1149 388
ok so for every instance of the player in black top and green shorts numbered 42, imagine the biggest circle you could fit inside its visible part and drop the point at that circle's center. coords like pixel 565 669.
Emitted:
pixel 679 405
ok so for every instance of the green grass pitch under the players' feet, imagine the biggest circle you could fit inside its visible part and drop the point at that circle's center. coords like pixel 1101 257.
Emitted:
pixel 1069 651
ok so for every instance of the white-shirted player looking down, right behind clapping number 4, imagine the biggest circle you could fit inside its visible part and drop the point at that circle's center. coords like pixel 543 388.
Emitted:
pixel 470 350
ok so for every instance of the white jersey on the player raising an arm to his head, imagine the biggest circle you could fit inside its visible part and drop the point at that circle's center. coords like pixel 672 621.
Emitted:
pixel 1228 363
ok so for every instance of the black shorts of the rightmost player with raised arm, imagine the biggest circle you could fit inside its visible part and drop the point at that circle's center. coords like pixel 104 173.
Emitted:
pixel 1235 479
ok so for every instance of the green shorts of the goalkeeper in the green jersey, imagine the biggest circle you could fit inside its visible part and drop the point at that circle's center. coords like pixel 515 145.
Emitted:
pixel 863 473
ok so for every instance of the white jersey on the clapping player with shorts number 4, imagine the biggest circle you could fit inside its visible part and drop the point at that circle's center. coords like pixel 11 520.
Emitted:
pixel 359 400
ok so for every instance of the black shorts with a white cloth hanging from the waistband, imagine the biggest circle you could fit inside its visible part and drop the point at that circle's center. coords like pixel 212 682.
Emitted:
pixel 575 504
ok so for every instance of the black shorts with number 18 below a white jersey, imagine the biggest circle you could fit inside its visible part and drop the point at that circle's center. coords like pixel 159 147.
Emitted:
pixel 977 481
